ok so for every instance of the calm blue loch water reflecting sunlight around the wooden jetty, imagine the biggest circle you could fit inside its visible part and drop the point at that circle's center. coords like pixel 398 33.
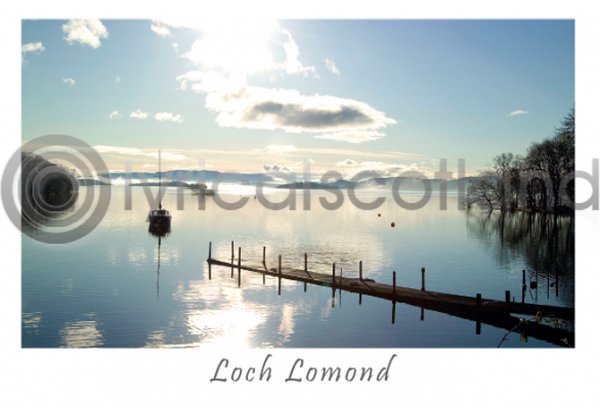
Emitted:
pixel 105 290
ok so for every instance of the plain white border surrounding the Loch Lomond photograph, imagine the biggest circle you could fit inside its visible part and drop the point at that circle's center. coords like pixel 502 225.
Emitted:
pixel 144 376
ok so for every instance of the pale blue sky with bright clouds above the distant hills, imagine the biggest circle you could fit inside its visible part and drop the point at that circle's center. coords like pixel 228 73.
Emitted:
pixel 260 96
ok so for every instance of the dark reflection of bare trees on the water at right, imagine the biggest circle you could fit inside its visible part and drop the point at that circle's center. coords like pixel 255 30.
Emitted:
pixel 546 243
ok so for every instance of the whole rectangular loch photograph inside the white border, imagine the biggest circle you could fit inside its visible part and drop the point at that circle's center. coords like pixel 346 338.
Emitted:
pixel 253 183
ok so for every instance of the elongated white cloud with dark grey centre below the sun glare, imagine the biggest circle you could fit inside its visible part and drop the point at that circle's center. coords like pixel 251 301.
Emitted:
pixel 288 110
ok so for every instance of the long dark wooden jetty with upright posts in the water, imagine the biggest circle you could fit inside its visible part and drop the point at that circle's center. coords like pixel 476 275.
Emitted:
pixel 503 314
